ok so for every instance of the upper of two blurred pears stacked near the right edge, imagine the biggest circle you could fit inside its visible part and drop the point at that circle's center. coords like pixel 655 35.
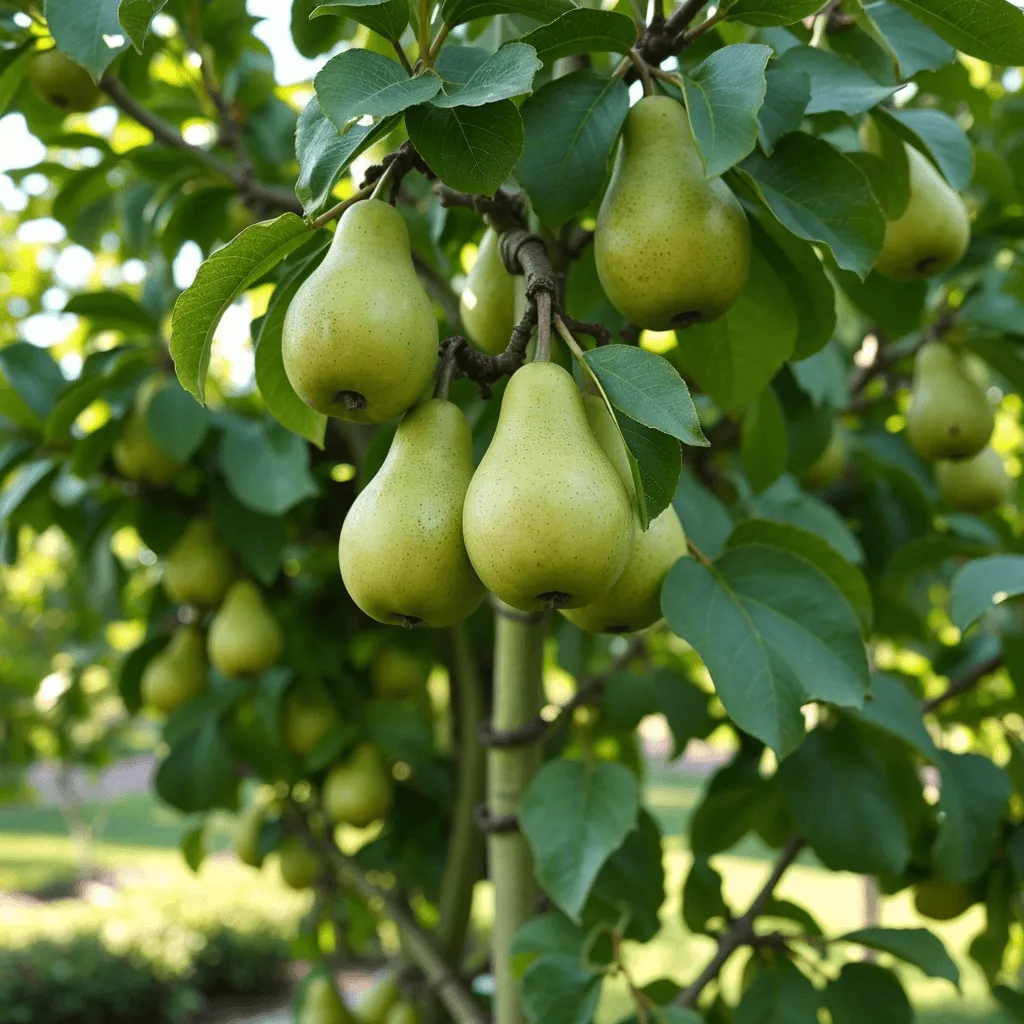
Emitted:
pixel 950 415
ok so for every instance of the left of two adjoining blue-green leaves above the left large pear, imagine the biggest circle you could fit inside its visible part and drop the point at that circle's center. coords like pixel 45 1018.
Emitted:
pixel 358 82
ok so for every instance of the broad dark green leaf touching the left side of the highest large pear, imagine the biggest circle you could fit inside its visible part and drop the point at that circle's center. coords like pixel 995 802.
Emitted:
pixel 571 127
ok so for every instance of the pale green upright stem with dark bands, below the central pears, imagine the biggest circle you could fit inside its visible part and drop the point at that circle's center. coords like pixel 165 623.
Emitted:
pixel 519 698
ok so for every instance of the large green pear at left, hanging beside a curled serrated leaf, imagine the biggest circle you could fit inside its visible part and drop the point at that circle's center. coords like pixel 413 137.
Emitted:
pixel 360 338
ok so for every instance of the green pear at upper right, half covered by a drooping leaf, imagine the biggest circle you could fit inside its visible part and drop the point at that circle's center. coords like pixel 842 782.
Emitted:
pixel 932 234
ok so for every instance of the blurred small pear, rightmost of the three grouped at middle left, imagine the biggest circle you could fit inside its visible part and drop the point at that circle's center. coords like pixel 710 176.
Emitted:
pixel 245 639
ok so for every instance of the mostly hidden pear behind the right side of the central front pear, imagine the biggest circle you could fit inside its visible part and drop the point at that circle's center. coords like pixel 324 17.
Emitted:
pixel 634 603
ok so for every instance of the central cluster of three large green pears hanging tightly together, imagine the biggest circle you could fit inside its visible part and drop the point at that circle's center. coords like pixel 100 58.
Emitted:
pixel 546 522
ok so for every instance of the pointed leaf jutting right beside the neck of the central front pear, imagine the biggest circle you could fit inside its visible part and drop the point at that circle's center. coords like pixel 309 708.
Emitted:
pixel 648 390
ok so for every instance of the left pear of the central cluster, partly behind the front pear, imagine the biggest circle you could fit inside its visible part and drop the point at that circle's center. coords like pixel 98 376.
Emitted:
pixel 402 552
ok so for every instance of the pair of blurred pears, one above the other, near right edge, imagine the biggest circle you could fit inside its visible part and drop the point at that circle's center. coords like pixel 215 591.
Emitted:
pixel 951 422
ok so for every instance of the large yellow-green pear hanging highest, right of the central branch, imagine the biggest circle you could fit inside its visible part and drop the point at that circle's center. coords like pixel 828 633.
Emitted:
pixel 672 247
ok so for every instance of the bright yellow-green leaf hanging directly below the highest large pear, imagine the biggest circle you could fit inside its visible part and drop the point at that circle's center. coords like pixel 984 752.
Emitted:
pixel 735 358
